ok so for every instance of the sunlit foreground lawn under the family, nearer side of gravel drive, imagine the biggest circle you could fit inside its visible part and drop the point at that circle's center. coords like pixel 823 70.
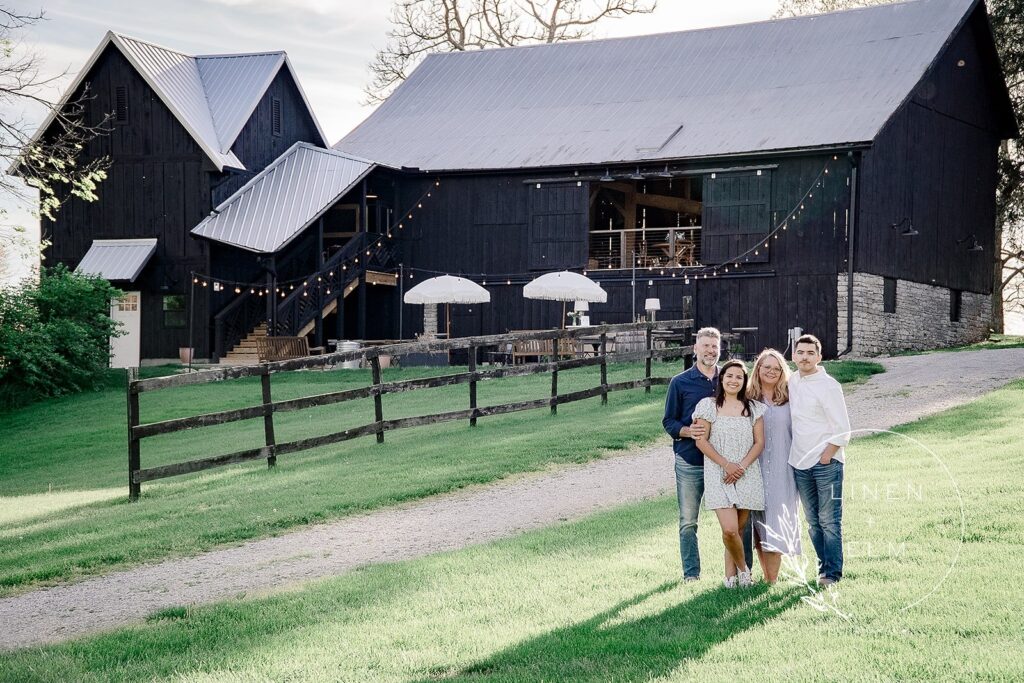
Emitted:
pixel 928 595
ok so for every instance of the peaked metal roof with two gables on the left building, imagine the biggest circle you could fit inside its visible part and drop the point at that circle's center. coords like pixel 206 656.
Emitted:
pixel 212 96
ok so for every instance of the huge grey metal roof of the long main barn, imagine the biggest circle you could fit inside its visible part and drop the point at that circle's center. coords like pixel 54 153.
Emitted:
pixel 782 84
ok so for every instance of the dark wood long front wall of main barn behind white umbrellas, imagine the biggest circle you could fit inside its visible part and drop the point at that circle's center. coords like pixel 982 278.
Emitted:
pixel 511 232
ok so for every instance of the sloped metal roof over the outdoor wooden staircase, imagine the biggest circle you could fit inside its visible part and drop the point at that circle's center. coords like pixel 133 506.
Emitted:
pixel 284 199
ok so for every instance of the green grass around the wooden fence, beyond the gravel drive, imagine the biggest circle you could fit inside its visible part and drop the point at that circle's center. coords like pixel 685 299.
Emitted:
pixel 64 510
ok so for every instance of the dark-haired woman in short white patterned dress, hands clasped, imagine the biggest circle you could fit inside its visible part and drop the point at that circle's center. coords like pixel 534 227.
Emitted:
pixel 733 442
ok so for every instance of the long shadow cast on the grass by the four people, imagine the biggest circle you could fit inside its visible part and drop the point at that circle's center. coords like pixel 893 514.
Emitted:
pixel 611 647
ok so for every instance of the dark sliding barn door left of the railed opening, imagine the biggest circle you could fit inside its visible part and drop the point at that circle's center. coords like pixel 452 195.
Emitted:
pixel 559 225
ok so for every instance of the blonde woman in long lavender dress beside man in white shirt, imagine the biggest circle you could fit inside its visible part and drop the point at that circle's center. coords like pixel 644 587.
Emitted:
pixel 777 530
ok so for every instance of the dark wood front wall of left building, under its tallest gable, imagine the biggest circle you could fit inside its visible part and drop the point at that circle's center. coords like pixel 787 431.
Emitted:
pixel 158 187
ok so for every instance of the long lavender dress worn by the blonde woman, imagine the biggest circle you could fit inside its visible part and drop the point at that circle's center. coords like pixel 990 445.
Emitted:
pixel 778 525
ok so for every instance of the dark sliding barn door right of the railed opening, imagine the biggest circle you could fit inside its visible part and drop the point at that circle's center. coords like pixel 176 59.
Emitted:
pixel 737 217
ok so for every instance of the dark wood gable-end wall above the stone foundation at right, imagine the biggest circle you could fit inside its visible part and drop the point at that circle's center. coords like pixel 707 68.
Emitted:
pixel 935 163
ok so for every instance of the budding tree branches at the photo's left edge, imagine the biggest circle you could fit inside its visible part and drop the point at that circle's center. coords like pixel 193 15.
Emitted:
pixel 49 164
